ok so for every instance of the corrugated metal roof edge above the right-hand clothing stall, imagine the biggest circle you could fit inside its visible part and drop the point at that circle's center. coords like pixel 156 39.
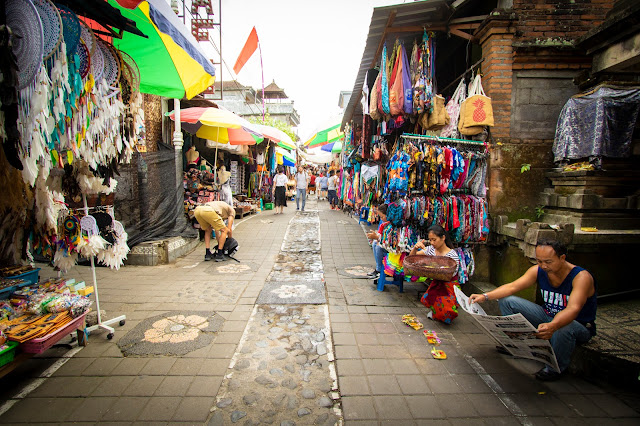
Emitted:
pixel 415 14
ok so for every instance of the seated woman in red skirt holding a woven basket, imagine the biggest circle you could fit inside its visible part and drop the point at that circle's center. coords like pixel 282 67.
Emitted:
pixel 440 297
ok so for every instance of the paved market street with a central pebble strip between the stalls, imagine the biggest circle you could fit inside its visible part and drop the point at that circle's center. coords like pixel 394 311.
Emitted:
pixel 206 343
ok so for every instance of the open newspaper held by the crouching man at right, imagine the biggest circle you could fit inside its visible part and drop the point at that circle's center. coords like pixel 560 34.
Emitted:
pixel 514 332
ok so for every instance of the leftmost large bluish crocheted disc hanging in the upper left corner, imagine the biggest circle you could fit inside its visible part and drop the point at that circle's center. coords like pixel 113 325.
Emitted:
pixel 28 39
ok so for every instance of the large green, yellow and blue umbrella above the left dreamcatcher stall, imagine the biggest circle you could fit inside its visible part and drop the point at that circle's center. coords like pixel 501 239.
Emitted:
pixel 171 62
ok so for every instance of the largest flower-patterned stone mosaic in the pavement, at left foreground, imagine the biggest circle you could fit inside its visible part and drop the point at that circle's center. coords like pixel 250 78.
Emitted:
pixel 171 333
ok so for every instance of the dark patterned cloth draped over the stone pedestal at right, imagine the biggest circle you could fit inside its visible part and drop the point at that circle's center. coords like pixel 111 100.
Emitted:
pixel 600 124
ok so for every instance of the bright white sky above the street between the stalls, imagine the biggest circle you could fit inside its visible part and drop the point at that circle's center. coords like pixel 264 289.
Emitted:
pixel 312 49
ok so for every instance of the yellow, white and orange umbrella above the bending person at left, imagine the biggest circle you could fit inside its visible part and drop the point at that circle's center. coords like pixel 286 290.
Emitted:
pixel 219 125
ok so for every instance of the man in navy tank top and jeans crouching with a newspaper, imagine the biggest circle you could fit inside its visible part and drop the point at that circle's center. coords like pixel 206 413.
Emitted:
pixel 568 313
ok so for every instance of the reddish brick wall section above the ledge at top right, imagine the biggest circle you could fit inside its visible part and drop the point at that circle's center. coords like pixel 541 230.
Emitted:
pixel 564 19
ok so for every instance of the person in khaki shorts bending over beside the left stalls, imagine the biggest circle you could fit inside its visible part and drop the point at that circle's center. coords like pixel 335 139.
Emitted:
pixel 212 215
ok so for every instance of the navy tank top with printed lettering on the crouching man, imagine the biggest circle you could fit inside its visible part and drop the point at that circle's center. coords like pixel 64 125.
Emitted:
pixel 556 298
